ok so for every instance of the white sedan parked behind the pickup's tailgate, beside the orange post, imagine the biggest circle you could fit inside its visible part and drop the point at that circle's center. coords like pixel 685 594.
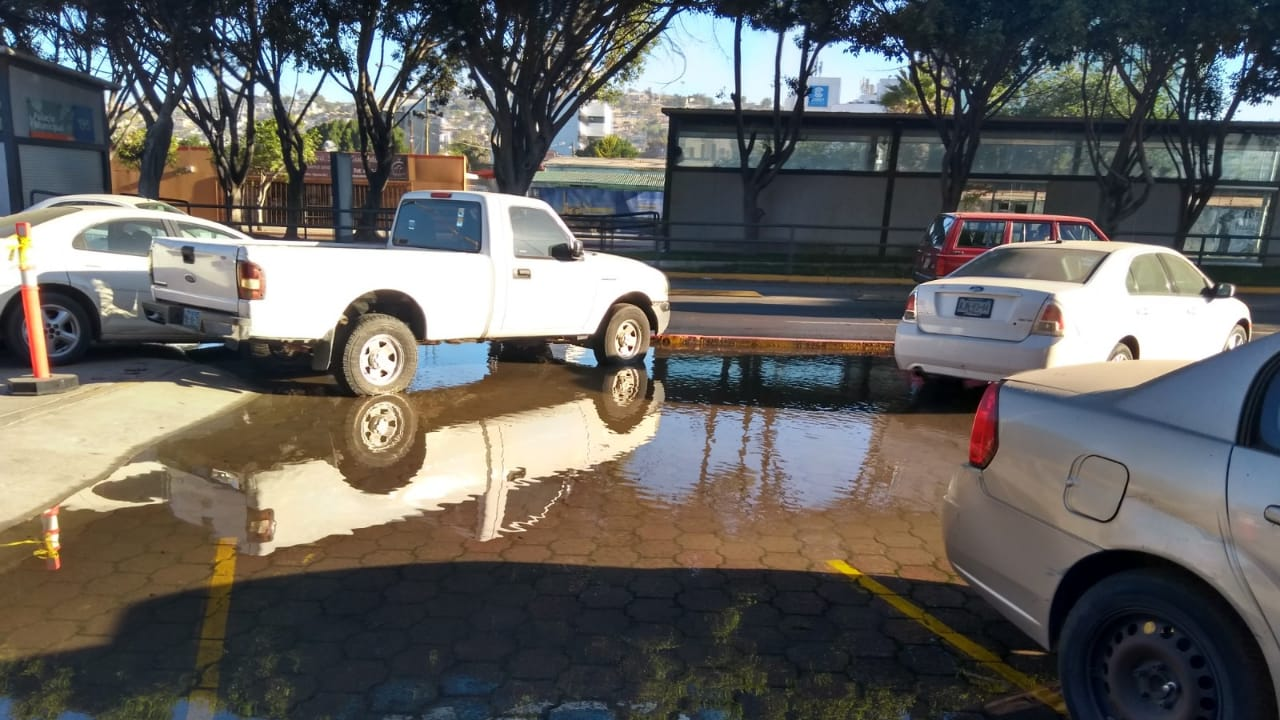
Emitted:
pixel 93 265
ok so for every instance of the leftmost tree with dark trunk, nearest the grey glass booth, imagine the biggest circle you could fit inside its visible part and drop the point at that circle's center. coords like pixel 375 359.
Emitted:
pixel 154 42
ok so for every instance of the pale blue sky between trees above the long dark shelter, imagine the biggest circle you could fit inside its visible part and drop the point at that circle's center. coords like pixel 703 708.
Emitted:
pixel 696 56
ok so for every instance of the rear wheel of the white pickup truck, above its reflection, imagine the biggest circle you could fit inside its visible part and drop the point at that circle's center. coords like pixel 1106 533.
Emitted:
pixel 380 357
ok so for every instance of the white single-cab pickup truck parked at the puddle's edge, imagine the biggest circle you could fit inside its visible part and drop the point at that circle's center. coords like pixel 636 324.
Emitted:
pixel 458 267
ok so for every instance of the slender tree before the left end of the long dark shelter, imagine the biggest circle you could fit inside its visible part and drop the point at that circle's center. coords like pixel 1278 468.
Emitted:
pixel 762 152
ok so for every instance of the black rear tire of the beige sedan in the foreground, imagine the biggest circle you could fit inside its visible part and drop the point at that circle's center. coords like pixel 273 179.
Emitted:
pixel 1149 645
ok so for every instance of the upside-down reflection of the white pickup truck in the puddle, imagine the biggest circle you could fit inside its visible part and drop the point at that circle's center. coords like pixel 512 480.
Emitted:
pixel 291 471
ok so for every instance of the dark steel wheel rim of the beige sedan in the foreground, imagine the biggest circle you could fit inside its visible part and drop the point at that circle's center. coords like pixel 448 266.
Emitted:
pixel 1148 668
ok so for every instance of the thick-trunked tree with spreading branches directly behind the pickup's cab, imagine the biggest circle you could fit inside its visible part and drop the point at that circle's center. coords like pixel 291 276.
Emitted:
pixel 534 65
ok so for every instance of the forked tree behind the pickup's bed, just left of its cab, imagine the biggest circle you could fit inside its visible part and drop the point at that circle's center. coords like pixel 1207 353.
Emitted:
pixel 390 54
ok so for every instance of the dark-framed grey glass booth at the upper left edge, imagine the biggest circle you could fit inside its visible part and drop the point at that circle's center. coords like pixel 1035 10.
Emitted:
pixel 53 131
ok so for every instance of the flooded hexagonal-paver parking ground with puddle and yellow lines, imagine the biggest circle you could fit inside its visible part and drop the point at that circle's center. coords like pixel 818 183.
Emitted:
pixel 706 537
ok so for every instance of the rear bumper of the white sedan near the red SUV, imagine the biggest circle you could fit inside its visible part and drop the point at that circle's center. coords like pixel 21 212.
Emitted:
pixel 979 359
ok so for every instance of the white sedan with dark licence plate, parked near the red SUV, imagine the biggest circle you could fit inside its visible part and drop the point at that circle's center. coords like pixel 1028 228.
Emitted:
pixel 1048 304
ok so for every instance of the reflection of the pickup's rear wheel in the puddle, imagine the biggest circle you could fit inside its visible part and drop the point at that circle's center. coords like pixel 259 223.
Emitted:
pixel 382 448
